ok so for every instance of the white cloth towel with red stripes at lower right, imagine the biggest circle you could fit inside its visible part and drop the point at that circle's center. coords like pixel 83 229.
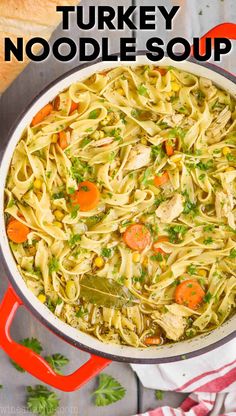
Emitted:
pixel 208 377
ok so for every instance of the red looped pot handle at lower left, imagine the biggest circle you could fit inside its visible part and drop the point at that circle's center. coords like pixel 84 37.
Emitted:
pixel 34 363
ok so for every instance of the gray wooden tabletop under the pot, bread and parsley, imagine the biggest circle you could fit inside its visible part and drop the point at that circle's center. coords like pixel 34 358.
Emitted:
pixel 34 78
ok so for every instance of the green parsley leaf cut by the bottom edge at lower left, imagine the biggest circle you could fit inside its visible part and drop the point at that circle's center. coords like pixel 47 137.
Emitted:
pixel 41 401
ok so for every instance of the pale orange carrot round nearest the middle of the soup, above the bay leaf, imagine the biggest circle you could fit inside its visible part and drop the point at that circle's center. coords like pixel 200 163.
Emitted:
pixel 137 237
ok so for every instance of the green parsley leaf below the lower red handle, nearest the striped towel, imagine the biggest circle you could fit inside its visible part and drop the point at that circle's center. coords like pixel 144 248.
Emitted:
pixel 109 391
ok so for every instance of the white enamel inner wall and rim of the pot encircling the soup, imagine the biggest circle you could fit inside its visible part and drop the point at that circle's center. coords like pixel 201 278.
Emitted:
pixel 167 352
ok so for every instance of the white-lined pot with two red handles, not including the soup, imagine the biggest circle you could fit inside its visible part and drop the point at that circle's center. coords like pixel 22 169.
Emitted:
pixel 18 294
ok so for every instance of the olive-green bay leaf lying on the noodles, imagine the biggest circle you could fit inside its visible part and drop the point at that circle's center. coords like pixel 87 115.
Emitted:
pixel 104 292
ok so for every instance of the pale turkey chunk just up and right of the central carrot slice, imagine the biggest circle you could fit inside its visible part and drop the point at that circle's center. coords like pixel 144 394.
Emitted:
pixel 169 210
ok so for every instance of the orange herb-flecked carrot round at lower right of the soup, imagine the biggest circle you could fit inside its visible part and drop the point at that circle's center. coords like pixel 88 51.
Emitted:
pixel 189 293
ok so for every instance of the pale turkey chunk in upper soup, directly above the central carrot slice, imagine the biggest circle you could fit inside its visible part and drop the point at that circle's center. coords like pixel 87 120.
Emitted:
pixel 139 157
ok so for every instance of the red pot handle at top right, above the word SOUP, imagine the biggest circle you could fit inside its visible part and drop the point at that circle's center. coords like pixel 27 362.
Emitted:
pixel 224 30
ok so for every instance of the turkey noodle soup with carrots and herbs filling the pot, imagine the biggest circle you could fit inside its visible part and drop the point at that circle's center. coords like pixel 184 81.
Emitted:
pixel 148 255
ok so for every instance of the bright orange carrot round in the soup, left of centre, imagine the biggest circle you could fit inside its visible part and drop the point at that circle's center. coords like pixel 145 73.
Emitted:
pixel 87 196
